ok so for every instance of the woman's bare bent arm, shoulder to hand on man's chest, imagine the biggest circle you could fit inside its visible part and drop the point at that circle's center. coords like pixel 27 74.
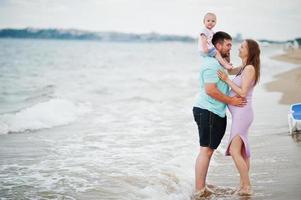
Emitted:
pixel 247 79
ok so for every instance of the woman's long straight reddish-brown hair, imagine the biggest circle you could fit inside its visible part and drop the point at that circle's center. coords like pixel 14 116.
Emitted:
pixel 254 57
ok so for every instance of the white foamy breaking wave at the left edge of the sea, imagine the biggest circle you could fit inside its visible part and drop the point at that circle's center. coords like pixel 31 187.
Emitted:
pixel 54 112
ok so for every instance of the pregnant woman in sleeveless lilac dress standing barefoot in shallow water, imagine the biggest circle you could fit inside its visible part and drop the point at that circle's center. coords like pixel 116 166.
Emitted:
pixel 247 75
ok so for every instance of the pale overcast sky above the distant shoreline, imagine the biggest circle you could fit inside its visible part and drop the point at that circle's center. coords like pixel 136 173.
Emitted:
pixel 265 19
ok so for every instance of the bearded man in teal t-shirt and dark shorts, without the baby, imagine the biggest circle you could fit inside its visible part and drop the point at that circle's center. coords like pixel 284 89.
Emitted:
pixel 210 110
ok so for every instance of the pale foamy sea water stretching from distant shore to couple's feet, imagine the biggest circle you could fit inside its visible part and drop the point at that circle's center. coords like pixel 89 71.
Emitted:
pixel 91 120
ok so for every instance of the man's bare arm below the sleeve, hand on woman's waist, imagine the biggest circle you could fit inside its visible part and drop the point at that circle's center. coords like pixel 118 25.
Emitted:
pixel 215 93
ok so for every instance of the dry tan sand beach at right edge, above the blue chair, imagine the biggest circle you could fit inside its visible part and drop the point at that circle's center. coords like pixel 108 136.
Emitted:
pixel 288 83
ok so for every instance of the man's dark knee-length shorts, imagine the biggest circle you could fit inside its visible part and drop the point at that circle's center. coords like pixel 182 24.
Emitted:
pixel 211 127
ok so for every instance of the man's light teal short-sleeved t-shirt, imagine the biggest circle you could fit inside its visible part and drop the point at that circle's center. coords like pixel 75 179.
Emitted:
pixel 208 74
